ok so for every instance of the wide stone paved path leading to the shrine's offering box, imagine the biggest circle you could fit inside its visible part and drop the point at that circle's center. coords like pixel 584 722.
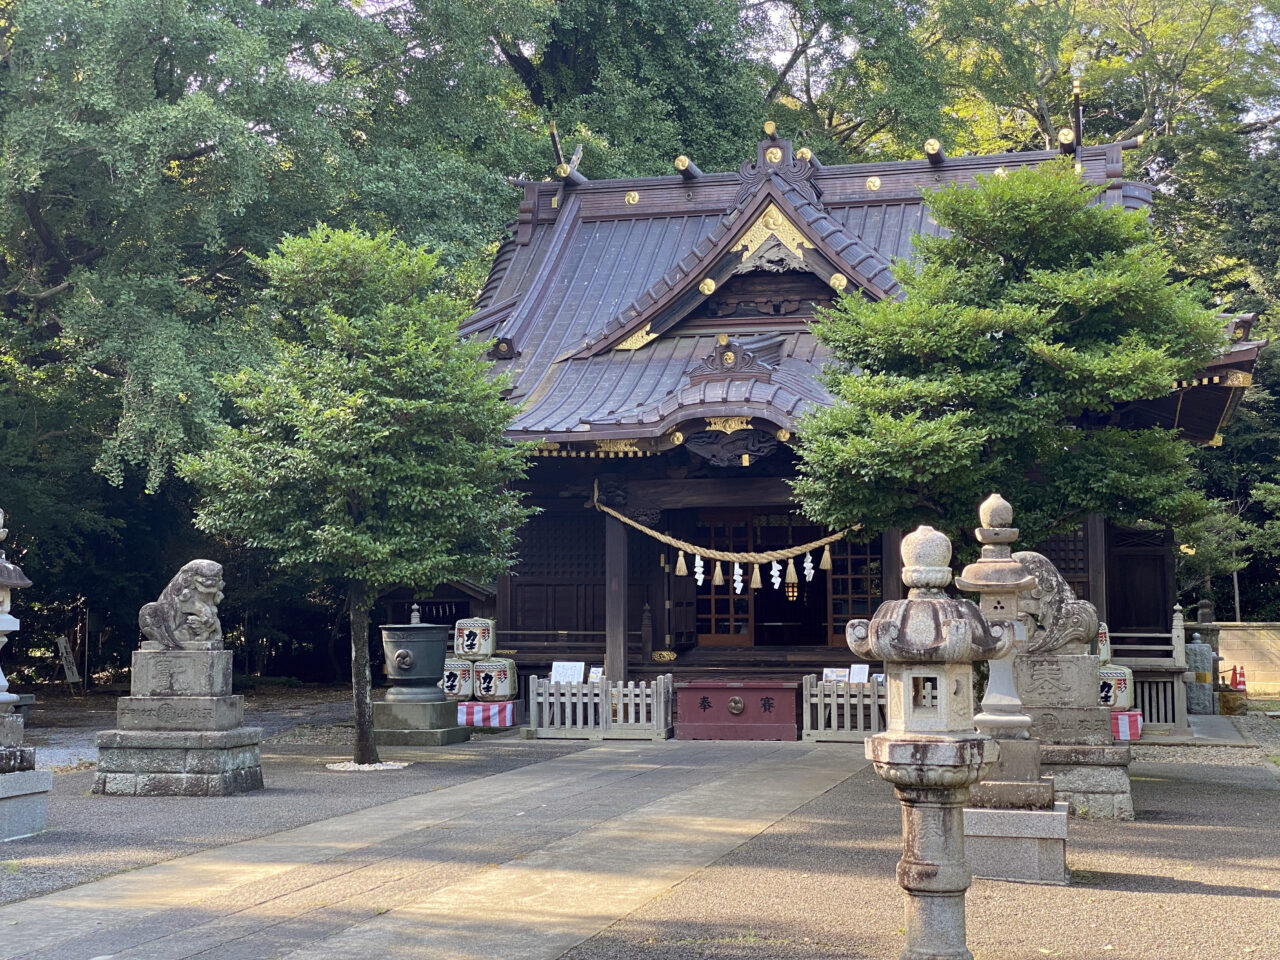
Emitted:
pixel 519 866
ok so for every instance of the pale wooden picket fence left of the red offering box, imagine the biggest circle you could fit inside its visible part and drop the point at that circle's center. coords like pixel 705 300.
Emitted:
pixel 602 711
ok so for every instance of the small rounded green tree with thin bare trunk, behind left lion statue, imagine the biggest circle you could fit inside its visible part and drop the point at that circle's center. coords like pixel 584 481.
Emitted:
pixel 369 451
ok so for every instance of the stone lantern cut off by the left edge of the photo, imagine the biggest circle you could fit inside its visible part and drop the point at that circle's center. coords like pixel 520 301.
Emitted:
pixel 24 789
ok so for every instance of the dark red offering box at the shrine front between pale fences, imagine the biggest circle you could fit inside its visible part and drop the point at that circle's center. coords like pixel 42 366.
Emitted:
pixel 758 710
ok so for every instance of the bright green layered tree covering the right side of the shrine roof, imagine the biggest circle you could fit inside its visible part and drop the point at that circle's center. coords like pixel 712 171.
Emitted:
pixel 1023 333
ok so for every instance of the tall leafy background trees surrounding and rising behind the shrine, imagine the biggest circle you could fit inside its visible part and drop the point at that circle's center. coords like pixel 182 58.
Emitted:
pixel 152 149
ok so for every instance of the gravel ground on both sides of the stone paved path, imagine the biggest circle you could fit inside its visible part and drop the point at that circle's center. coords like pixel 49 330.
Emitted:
pixel 1196 876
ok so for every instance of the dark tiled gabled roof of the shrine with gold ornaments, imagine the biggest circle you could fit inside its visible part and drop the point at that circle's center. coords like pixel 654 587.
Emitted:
pixel 596 304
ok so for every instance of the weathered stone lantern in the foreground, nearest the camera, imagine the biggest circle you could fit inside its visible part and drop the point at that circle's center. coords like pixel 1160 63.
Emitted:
pixel 931 751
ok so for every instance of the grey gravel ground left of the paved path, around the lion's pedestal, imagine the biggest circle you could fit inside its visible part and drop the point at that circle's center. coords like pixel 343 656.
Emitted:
pixel 95 836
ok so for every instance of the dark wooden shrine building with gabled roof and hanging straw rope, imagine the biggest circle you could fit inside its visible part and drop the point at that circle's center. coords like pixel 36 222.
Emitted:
pixel 657 339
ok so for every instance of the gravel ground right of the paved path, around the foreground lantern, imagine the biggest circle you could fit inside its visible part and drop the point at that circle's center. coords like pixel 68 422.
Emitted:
pixel 1196 876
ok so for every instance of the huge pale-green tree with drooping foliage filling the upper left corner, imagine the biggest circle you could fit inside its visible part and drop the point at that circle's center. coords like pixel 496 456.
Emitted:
pixel 148 150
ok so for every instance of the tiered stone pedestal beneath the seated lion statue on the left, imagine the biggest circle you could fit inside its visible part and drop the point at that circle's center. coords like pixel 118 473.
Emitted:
pixel 181 733
